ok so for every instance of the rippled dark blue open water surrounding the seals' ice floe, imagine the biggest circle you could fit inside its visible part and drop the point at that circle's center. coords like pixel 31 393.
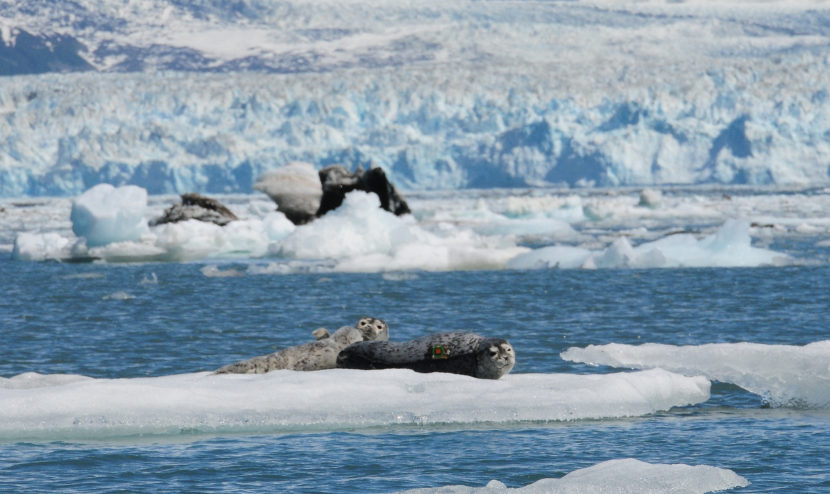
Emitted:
pixel 75 318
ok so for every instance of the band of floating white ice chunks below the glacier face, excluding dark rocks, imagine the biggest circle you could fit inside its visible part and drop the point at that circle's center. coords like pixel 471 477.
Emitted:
pixel 450 230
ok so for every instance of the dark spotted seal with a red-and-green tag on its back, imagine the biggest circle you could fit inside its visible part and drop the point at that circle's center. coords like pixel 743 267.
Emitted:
pixel 456 352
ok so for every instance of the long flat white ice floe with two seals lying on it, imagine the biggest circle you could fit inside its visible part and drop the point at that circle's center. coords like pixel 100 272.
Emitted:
pixel 324 400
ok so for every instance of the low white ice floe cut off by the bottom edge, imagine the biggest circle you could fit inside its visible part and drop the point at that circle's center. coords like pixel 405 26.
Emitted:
pixel 623 476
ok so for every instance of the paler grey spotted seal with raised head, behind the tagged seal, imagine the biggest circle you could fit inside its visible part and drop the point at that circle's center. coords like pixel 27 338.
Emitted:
pixel 317 355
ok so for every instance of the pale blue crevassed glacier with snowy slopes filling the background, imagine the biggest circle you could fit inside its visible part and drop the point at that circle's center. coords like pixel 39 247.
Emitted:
pixel 204 95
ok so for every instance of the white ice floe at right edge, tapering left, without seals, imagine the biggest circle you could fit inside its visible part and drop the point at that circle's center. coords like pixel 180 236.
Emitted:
pixel 783 375
